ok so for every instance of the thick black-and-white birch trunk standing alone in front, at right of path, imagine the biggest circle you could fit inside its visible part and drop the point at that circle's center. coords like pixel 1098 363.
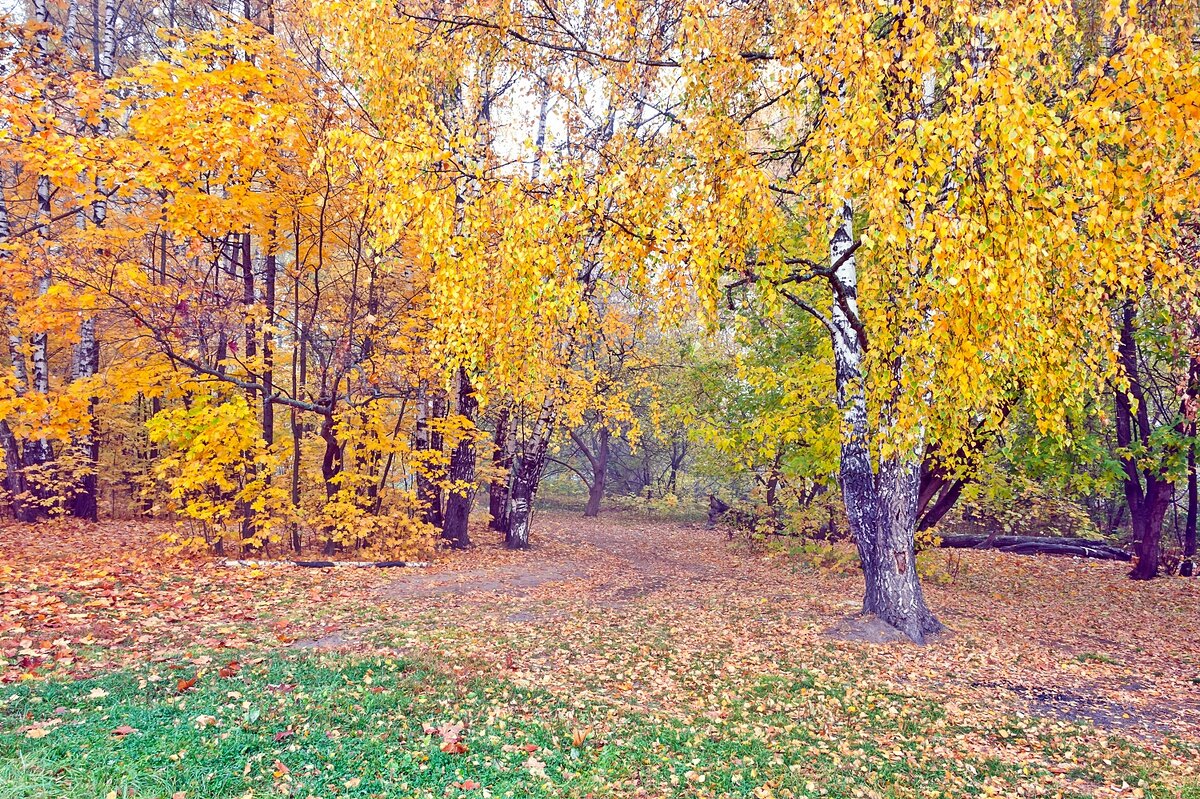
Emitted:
pixel 883 509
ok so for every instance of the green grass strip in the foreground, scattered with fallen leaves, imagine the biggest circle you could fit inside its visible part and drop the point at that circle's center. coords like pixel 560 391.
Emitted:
pixel 355 728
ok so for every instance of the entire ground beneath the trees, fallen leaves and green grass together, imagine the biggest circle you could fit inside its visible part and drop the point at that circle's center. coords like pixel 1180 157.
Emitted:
pixel 619 658
